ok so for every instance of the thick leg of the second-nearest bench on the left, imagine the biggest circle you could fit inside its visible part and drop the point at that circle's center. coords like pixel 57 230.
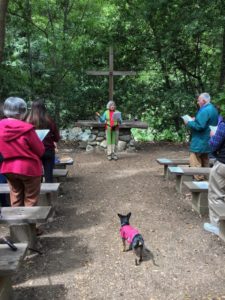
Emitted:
pixel 24 233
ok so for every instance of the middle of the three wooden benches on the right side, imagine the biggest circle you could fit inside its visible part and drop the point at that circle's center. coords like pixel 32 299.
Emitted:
pixel 186 174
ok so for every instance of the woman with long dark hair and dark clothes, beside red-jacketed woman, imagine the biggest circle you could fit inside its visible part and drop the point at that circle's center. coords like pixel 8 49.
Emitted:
pixel 39 117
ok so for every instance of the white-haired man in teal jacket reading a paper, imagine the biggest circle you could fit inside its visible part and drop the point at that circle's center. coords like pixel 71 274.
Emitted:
pixel 206 116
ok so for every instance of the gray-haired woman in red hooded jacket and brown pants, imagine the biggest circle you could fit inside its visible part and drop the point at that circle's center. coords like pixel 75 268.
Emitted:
pixel 20 154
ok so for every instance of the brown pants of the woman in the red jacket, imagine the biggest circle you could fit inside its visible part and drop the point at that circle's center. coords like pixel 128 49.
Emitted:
pixel 24 190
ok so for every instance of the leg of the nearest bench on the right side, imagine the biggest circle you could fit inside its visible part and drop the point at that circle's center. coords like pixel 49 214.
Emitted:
pixel 200 202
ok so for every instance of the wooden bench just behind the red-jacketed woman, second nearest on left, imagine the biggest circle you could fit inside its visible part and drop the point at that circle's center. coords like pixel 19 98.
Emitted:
pixel 22 221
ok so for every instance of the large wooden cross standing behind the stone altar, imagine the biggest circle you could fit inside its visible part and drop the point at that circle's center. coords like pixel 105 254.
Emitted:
pixel 111 73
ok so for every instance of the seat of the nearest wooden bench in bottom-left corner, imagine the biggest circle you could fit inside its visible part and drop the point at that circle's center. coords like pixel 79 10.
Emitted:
pixel 10 260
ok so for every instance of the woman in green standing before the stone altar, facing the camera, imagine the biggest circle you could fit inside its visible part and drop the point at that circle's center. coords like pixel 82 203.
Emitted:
pixel 112 119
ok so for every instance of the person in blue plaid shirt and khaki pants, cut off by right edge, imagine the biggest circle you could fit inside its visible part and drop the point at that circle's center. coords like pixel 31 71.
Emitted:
pixel 216 189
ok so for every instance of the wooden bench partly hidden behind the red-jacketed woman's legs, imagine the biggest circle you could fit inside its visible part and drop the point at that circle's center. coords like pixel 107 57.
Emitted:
pixel 50 190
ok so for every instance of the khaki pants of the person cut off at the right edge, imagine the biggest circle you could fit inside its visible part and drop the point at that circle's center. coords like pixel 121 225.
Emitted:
pixel 216 193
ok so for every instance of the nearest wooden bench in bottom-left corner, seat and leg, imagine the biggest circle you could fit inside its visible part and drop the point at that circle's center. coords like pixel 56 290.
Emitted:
pixel 9 264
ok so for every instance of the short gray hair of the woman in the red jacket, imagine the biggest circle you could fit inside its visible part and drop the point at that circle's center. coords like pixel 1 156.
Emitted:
pixel 14 107
